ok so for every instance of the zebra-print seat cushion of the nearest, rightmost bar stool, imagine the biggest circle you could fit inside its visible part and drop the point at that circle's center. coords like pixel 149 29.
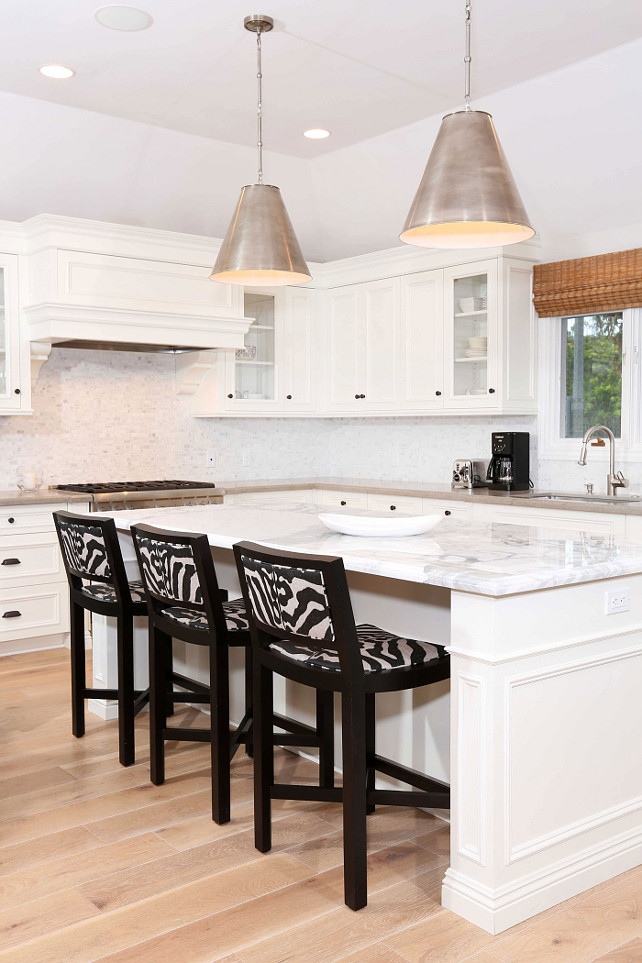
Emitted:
pixel 380 651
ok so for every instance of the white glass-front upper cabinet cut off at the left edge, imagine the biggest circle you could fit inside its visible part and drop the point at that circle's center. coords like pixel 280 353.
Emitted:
pixel 14 396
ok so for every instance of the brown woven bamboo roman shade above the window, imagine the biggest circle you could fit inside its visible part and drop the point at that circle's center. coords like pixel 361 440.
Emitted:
pixel 607 282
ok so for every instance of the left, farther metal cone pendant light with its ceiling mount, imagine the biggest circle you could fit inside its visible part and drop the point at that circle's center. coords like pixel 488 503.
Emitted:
pixel 260 247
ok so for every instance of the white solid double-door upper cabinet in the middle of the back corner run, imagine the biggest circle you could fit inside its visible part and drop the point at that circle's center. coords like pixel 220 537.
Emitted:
pixel 362 346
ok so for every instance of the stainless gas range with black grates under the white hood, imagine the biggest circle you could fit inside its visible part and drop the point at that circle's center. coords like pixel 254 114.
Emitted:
pixel 106 496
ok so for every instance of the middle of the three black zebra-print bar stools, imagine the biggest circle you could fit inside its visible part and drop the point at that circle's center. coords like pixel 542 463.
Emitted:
pixel 185 602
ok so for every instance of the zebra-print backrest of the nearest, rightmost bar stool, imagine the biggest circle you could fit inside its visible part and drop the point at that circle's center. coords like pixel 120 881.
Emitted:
pixel 300 598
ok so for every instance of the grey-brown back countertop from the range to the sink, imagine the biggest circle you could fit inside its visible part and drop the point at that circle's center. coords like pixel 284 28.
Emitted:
pixel 431 490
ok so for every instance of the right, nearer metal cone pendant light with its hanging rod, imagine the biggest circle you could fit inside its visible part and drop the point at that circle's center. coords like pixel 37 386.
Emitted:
pixel 467 197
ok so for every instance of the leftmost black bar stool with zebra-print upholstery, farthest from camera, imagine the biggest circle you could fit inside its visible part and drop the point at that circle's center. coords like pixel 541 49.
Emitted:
pixel 98 583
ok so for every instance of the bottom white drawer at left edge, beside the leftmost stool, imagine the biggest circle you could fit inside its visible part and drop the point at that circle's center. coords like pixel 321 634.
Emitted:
pixel 40 611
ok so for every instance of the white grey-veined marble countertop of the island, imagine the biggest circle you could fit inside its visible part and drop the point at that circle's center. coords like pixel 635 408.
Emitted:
pixel 493 560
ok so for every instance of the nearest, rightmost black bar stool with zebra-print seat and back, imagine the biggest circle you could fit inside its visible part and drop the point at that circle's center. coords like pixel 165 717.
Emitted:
pixel 303 628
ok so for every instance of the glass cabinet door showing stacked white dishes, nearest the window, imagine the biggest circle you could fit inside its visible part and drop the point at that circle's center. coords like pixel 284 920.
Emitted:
pixel 472 350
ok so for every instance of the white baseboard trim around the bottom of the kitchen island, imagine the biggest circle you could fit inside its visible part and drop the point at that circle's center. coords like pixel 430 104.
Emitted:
pixel 496 911
